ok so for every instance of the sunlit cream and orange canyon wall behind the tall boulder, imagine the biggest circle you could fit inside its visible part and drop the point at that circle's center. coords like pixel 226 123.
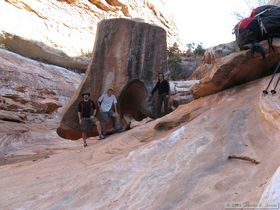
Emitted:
pixel 67 29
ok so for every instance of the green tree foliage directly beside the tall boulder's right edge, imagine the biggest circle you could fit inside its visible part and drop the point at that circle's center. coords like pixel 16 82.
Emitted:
pixel 174 60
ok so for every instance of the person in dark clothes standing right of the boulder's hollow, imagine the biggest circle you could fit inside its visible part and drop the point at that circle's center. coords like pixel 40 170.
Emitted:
pixel 163 88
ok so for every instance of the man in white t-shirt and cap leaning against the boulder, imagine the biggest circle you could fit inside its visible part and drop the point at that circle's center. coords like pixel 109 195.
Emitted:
pixel 108 107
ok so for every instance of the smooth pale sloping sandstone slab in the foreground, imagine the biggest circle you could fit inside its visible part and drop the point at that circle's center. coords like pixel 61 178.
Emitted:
pixel 177 162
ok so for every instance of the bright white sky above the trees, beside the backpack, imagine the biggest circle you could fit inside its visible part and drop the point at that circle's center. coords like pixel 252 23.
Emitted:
pixel 209 22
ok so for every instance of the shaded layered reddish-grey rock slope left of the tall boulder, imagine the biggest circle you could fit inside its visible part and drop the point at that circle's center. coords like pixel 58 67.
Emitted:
pixel 31 94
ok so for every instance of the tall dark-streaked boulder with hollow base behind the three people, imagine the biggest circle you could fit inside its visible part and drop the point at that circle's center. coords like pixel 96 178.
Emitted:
pixel 128 55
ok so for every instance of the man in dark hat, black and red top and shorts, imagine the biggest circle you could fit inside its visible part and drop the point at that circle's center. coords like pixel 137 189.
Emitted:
pixel 86 114
